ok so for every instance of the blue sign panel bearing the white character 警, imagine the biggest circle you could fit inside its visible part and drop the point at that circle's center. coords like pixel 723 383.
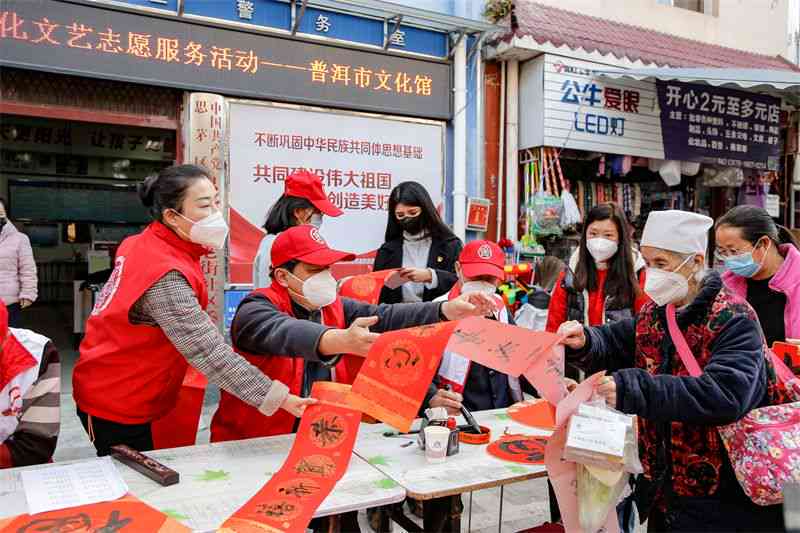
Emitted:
pixel 268 13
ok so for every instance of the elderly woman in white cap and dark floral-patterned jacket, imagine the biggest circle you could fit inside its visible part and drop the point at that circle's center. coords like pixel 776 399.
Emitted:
pixel 688 482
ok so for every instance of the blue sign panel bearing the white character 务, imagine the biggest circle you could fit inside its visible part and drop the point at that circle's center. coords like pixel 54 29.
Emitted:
pixel 342 26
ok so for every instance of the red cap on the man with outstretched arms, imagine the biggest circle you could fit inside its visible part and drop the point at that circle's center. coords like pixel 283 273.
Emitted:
pixel 305 244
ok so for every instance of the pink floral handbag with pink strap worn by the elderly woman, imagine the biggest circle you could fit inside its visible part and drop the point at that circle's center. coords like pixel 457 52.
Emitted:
pixel 764 446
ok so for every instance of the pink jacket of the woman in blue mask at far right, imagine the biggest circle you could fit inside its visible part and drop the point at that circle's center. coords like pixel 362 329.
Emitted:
pixel 786 280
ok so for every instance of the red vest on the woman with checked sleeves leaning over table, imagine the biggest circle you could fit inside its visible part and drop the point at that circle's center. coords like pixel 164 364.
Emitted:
pixel 131 374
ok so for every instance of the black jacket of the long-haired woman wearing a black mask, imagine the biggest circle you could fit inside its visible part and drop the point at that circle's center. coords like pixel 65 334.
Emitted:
pixel 442 258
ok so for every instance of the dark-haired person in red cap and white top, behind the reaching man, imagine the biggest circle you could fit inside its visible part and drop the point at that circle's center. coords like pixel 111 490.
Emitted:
pixel 303 202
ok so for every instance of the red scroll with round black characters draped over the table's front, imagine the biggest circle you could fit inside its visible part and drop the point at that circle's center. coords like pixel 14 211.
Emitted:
pixel 318 459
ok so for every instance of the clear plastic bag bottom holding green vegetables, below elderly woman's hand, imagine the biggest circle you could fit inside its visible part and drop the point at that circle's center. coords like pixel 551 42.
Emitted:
pixel 597 495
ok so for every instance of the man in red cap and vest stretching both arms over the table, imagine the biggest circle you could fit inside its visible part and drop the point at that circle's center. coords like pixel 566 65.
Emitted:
pixel 299 331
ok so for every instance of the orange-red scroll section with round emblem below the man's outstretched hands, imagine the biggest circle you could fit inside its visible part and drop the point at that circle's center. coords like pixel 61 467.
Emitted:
pixel 397 372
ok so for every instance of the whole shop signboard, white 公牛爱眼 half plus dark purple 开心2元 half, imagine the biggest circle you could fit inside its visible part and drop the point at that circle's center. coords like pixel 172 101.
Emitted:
pixel 567 104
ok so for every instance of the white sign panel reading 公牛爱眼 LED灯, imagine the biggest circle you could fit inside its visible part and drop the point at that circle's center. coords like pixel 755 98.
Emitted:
pixel 564 103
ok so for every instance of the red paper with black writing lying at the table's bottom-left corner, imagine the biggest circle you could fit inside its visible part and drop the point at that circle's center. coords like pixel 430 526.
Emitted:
pixel 126 515
